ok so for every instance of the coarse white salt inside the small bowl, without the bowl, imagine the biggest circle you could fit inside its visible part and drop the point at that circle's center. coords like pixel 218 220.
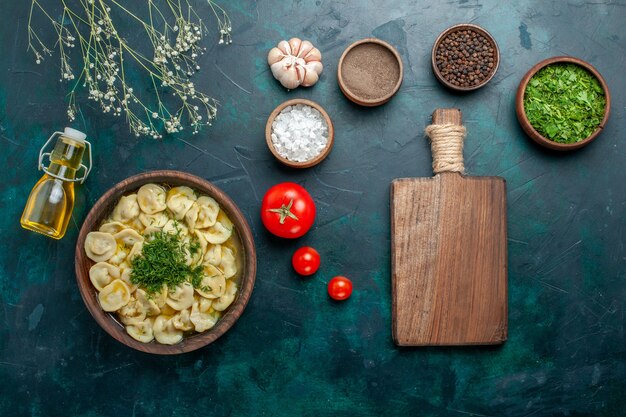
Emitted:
pixel 299 133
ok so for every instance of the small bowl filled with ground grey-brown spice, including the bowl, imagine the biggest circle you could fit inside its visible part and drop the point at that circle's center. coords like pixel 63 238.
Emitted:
pixel 370 72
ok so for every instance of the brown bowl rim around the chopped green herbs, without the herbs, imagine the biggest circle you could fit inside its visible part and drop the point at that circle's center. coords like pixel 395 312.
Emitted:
pixel 530 130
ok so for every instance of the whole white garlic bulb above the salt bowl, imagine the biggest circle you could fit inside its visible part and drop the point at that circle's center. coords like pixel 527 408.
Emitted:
pixel 295 63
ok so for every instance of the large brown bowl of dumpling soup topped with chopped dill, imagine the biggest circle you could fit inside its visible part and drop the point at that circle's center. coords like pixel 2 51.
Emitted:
pixel 165 262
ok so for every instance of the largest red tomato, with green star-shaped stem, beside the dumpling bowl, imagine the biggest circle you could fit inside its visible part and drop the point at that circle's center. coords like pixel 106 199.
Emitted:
pixel 288 210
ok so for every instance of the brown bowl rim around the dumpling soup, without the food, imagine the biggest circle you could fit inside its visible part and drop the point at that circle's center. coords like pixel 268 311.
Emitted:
pixel 105 205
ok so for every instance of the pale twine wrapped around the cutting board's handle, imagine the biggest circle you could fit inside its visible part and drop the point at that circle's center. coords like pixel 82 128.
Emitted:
pixel 446 144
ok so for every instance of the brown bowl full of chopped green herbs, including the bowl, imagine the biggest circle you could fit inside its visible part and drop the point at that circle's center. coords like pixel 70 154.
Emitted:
pixel 563 103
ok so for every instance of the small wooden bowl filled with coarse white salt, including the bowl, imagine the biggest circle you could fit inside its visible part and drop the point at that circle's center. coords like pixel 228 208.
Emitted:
pixel 299 133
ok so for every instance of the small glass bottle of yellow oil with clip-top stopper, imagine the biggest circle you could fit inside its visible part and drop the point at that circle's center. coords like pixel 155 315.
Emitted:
pixel 51 201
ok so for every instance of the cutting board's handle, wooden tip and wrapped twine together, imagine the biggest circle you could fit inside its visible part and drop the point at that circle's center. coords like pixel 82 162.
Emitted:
pixel 446 134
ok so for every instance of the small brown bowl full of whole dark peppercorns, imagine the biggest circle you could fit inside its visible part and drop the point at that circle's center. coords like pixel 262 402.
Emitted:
pixel 465 57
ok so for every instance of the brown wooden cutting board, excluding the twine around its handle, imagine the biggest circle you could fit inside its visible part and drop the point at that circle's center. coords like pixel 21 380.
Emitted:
pixel 449 257
